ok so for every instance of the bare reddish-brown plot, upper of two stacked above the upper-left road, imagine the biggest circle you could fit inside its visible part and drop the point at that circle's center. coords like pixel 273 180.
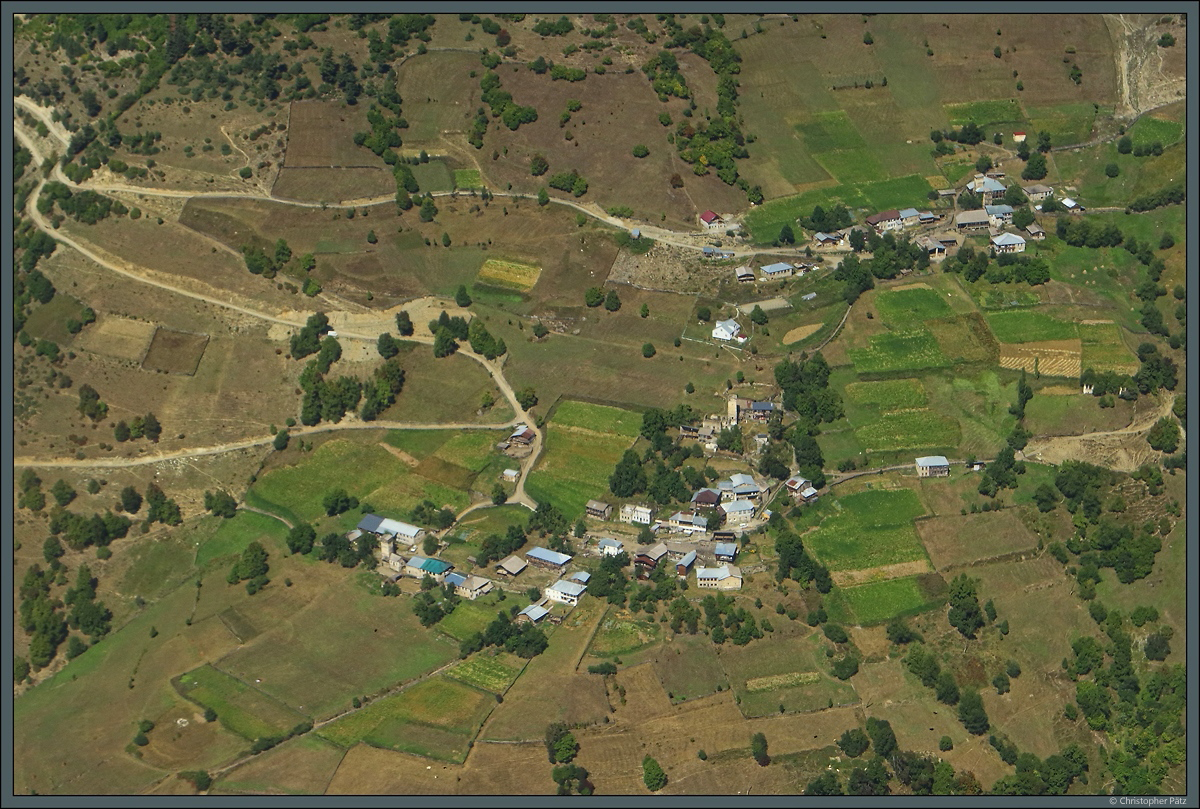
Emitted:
pixel 322 134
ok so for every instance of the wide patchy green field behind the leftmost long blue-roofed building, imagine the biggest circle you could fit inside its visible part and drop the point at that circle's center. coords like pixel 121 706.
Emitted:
pixel 365 471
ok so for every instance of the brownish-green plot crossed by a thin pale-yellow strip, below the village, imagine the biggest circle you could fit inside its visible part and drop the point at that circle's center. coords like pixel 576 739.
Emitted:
pixel 791 673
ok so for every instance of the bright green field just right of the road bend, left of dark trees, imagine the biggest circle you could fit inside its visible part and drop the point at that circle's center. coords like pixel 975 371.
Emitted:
pixel 579 460
